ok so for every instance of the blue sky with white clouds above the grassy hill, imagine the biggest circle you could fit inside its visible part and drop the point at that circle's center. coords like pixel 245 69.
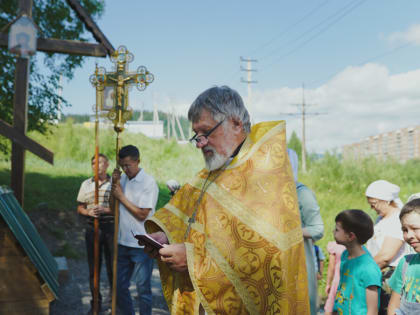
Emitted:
pixel 358 61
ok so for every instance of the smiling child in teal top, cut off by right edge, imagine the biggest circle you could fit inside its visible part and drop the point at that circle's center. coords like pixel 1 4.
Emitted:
pixel 404 282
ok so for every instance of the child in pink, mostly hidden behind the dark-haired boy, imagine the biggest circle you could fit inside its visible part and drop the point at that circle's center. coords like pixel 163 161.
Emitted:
pixel 333 274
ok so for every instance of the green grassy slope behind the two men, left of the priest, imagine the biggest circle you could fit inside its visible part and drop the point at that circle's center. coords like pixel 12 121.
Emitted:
pixel 73 147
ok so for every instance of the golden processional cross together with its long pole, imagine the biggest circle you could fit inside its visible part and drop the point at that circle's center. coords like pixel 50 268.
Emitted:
pixel 119 113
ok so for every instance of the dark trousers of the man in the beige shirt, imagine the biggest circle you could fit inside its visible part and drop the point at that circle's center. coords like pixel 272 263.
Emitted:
pixel 106 237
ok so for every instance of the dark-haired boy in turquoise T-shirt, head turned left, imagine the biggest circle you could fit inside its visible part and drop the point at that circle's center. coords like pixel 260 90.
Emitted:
pixel 360 276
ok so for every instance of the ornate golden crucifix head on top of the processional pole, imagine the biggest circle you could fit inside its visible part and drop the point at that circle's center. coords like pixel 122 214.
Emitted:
pixel 119 81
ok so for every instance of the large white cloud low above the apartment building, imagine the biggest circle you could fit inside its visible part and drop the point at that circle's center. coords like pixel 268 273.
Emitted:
pixel 358 102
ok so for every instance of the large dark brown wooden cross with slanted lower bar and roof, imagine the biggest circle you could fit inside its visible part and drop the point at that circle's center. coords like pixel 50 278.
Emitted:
pixel 17 132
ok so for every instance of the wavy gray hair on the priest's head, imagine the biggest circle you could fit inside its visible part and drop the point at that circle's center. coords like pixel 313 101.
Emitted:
pixel 223 103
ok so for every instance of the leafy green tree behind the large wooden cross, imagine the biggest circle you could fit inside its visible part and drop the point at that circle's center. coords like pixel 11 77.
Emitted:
pixel 55 19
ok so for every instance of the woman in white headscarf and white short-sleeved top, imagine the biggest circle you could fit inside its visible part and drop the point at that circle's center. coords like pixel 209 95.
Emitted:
pixel 387 244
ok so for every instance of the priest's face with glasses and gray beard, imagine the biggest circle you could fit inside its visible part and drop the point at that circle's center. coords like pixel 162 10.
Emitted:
pixel 218 146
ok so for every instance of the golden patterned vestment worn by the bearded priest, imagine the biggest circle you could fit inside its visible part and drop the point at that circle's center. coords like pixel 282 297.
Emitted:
pixel 245 249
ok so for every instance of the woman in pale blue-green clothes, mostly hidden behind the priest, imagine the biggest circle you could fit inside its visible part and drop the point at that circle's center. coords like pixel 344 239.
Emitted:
pixel 312 228
